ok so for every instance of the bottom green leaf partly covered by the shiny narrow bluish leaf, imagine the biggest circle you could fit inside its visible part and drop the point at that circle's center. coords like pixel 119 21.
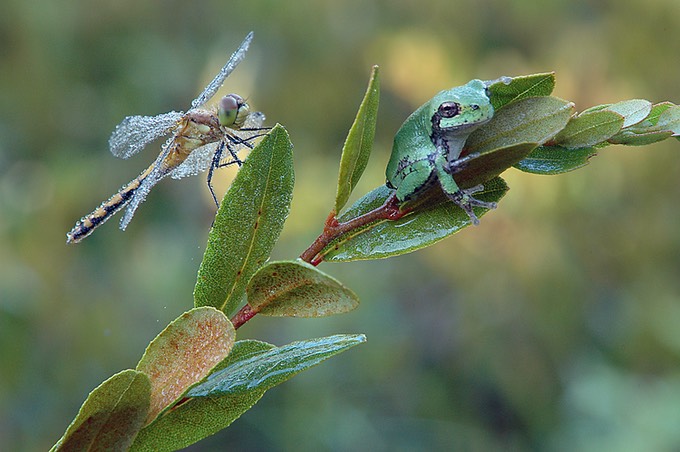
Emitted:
pixel 196 418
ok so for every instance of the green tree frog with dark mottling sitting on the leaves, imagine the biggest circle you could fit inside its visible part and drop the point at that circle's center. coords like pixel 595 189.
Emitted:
pixel 428 144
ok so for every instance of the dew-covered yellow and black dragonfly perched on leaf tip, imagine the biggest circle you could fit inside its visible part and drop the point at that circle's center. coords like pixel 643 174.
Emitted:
pixel 202 139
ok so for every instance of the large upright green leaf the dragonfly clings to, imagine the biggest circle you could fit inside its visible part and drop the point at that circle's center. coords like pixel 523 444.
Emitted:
pixel 248 223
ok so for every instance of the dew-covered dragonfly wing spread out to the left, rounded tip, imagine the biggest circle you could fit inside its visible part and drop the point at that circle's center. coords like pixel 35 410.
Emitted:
pixel 135 132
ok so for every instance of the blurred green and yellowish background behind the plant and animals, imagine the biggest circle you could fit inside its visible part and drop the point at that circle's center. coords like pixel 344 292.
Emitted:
pixel 554 325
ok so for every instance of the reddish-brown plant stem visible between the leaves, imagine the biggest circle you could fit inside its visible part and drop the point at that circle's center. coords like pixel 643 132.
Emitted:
pixel 333 230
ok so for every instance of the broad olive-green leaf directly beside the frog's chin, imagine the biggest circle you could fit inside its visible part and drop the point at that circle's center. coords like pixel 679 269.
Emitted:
pixel 530 120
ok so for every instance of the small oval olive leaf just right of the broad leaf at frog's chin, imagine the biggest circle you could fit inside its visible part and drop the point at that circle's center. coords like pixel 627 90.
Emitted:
pixel 589 129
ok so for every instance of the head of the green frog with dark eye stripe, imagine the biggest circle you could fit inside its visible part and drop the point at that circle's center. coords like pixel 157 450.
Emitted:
pixel 461 109
